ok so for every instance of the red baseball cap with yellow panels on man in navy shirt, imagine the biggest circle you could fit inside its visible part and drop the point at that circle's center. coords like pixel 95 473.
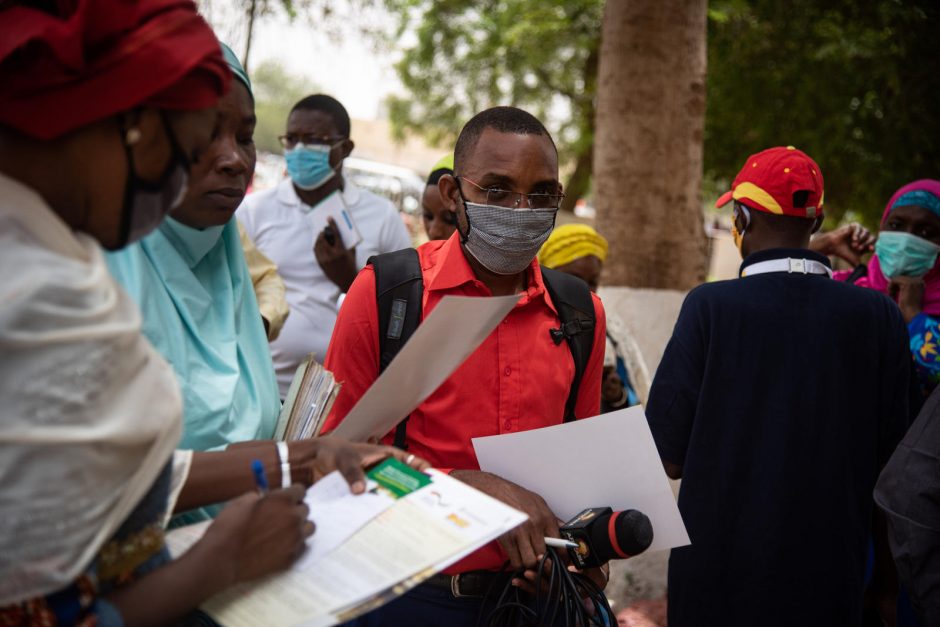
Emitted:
pixel 772 181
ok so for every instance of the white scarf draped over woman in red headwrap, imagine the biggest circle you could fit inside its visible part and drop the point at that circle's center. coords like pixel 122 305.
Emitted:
pixel 89 412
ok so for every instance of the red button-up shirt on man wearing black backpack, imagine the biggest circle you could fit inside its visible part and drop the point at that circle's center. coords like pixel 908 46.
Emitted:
pixel 518 379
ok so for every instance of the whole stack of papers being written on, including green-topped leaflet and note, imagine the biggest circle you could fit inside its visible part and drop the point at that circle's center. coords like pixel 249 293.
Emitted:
pixel 367 549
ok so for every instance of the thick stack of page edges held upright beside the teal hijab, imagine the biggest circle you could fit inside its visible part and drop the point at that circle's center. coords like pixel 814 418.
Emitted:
pixel 309 400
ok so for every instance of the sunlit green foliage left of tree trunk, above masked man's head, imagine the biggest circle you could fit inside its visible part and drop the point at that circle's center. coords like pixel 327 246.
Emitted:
pixel 473 54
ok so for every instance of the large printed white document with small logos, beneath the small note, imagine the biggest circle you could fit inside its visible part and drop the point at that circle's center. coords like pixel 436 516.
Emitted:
pixel 398 548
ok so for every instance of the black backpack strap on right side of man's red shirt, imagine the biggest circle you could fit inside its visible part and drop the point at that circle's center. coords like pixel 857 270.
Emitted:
pixel 575 306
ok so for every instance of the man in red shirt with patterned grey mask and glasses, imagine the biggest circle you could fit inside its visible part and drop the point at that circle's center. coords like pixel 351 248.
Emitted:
pixel 505 193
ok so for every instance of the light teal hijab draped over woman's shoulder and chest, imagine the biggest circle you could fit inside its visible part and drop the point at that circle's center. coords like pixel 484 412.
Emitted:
pixel 200 312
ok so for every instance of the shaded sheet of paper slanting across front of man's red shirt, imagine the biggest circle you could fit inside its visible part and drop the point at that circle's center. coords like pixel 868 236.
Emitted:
pixel 443 340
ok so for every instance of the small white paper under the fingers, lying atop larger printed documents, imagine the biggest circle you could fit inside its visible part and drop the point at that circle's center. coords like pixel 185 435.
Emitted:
pixel 338 514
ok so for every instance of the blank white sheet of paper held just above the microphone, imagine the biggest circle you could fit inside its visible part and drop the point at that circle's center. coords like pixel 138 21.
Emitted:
pixel 609 460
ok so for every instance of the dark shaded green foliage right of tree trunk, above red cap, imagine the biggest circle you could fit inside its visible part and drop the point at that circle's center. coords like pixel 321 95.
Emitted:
pixel 854 84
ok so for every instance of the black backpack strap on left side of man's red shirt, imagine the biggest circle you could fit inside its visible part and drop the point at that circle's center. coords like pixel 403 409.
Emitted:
pixel 399 289
